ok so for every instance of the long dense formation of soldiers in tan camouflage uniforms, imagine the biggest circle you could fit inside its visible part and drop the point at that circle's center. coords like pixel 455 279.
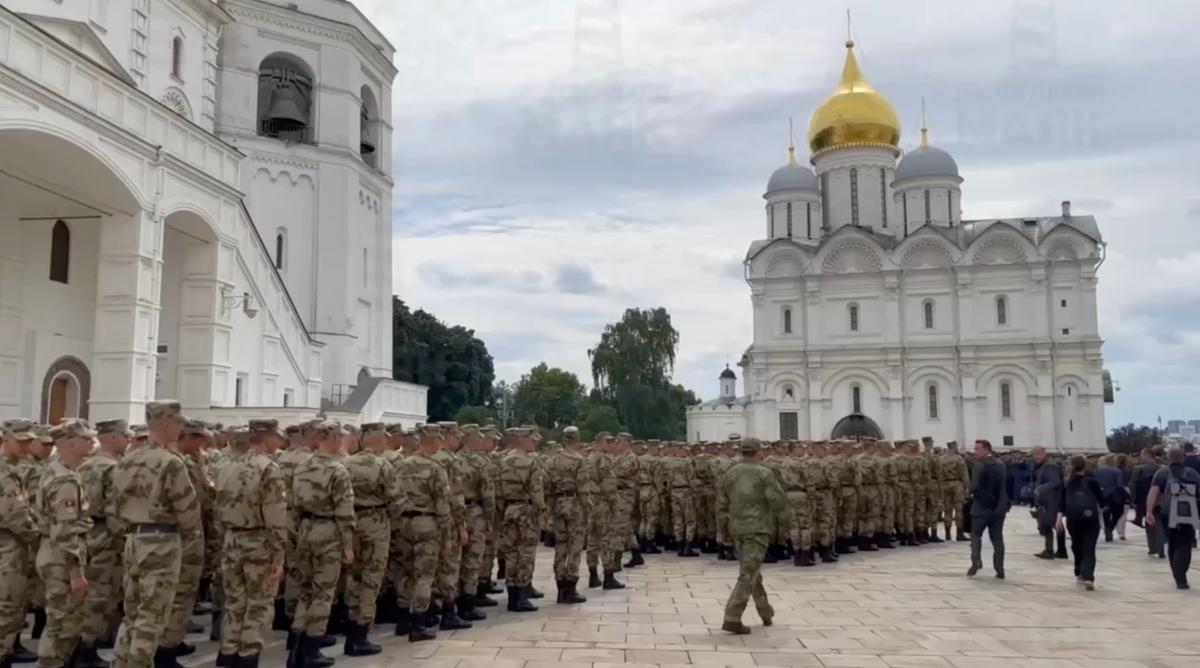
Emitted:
pixel 115 537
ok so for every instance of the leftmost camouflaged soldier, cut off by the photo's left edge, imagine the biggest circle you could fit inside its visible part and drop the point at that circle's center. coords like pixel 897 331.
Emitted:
pixel 17 532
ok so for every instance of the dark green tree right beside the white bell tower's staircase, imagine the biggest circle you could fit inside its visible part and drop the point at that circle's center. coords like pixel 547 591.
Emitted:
pixel 452 362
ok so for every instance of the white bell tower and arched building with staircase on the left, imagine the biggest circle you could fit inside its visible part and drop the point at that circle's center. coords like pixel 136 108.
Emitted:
pixel 196 204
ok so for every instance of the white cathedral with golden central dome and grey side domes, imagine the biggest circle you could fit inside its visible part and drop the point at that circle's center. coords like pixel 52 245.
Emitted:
pixel 880 312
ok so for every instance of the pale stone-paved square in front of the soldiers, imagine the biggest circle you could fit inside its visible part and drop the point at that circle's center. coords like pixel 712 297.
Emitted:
pixel 899 609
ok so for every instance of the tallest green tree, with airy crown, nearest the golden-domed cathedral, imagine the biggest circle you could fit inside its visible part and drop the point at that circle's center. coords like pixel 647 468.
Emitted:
pixel 632 369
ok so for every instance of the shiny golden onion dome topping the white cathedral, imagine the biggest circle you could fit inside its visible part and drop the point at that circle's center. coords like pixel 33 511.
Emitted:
pixel 855 113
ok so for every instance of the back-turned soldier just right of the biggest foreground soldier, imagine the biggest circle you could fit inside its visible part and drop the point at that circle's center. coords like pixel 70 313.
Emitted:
pixel 249 503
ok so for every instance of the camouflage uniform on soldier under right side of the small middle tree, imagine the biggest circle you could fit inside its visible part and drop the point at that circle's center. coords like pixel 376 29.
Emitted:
pixel 566 477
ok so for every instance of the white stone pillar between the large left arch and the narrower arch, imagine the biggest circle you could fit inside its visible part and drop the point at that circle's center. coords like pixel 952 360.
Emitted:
pixel 127 336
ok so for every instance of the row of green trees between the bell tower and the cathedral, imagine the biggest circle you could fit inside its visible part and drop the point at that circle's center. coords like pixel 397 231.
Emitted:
pixel 632 378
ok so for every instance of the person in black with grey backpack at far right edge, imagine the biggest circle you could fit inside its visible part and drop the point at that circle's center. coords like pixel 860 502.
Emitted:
pixel 1173 502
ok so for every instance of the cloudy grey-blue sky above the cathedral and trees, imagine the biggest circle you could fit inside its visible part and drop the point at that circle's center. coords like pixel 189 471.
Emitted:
pixel 554 170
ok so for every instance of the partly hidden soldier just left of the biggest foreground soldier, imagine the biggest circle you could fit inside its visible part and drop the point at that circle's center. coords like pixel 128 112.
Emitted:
pixel 105 545
